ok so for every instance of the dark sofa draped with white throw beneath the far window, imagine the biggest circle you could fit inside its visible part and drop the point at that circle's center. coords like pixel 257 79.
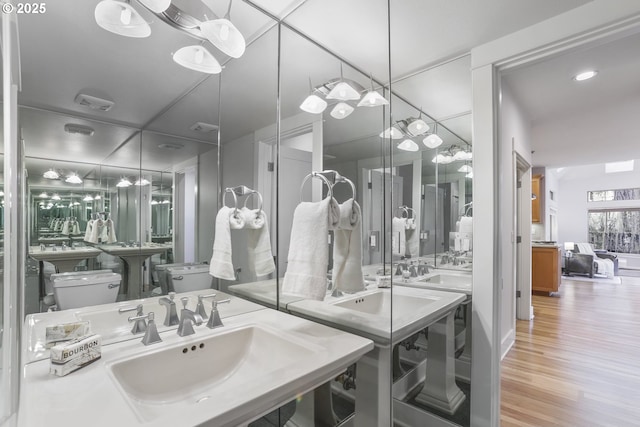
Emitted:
pixel 587 261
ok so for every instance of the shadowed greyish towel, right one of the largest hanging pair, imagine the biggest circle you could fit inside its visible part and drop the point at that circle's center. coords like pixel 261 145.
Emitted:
pixel 347 249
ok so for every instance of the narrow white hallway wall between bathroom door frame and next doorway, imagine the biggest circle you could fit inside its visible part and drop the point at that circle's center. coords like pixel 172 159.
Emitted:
pixel 515 134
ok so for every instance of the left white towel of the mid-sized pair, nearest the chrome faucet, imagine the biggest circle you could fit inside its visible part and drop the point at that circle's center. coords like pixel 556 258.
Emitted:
pixel 221 265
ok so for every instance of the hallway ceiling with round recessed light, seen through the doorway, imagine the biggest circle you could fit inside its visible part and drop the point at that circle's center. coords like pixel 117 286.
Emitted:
pixel 588 122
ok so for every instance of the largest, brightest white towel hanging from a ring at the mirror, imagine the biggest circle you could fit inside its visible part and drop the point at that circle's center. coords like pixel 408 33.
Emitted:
pixel 308 257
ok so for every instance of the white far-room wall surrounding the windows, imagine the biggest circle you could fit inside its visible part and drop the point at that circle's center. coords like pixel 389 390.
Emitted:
pixel 574 182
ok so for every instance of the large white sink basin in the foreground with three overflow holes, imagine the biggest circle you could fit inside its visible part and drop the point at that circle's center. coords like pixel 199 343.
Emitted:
pixel 205 368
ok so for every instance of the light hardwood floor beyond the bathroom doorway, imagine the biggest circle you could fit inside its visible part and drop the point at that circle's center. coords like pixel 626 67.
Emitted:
pixel 578 362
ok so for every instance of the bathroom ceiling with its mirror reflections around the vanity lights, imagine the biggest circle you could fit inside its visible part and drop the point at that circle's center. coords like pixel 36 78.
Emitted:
pixel 64 52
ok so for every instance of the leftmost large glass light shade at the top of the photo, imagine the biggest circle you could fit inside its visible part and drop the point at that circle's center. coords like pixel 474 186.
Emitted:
pixel 121 18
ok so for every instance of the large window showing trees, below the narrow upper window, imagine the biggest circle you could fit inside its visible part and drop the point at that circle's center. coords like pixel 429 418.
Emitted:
pixel 615 230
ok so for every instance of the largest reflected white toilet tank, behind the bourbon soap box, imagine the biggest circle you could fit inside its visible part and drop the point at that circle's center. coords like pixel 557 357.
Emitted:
pixel 74 291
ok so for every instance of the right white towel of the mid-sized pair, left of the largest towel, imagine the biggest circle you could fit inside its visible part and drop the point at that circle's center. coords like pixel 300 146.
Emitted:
pixel 258 241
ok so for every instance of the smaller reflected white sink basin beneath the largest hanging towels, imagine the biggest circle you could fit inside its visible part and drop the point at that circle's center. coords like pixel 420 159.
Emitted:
pixel 380 303
